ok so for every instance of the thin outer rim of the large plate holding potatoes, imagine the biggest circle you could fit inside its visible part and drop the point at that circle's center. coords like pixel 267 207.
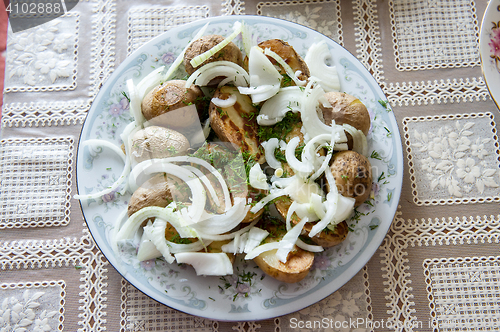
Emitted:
pixel 353 267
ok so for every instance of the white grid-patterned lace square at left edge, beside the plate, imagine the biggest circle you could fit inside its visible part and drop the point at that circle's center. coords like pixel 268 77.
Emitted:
pixel 35 182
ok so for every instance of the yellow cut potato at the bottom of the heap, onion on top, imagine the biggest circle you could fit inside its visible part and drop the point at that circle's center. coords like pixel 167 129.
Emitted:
pixel 298 262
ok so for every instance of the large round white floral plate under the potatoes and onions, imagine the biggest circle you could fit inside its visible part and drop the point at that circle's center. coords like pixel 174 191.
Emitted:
pixel 248 294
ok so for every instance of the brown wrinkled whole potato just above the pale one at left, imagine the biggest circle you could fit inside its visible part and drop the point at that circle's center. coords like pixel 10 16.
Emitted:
pixel 170 96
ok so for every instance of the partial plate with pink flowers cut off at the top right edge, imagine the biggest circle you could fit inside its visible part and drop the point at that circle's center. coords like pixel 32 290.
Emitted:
pixel 489 40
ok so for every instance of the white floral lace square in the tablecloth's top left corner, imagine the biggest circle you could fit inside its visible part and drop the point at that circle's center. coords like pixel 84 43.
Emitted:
pixel 43 58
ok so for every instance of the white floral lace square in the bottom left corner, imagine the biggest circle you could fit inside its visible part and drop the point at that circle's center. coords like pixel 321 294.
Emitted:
pixel 33 307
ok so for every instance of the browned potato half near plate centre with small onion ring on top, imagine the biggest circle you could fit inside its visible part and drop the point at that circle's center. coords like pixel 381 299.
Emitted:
pixel 237 124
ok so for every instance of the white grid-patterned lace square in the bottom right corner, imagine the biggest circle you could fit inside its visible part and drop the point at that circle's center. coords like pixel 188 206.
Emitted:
pixel 464 287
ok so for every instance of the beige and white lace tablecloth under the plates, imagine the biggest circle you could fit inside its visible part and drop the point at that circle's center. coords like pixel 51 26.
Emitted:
pixel 438 267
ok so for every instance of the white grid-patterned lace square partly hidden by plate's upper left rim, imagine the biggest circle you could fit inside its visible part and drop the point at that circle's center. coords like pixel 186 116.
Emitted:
pixel 146 23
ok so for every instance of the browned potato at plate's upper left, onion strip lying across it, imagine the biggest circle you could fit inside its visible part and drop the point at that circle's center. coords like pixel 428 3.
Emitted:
pixel 230 52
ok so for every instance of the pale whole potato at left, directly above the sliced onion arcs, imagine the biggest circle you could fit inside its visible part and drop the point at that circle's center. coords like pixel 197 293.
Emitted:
pixel 157 142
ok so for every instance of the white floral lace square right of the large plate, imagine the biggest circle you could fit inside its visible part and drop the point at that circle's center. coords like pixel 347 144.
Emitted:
pixel 453 159
